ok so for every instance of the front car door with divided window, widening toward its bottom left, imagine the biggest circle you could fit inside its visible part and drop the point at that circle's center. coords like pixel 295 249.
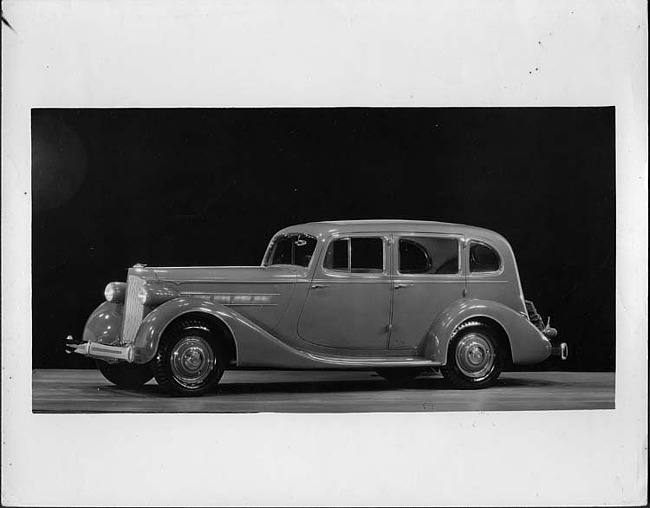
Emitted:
pixel 349 299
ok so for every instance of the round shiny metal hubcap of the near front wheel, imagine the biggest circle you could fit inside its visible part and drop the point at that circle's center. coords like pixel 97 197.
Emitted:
pixel 192 360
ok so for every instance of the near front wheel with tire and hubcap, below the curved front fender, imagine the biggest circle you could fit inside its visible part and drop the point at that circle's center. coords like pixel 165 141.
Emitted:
pixel 190 360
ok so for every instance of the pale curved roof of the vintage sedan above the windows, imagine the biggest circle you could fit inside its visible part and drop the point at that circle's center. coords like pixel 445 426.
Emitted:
pixel 380 225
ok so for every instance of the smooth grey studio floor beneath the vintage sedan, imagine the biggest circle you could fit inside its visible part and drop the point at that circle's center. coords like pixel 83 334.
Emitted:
pixel 241 391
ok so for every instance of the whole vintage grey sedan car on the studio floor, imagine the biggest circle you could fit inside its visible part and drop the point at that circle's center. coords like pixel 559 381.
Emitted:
pixel 394 296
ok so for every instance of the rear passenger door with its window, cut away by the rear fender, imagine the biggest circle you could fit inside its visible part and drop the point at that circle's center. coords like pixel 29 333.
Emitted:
pixel 427 278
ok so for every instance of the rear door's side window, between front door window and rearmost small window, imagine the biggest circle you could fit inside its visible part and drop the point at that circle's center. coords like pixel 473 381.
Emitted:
pixel 428 255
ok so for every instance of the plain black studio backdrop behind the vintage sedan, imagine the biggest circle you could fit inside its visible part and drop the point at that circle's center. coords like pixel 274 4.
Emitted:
pixel 210 186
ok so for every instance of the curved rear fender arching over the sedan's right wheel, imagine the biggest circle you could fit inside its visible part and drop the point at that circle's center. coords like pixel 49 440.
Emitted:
pixel 527 343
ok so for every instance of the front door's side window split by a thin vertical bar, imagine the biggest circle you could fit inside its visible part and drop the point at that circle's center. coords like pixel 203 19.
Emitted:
pixel 355 255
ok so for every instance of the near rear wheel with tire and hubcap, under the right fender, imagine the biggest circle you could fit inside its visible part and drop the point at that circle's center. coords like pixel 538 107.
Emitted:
pixel 475 358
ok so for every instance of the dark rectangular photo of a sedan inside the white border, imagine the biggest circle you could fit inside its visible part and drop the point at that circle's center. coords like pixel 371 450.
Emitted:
pixel 323 260
